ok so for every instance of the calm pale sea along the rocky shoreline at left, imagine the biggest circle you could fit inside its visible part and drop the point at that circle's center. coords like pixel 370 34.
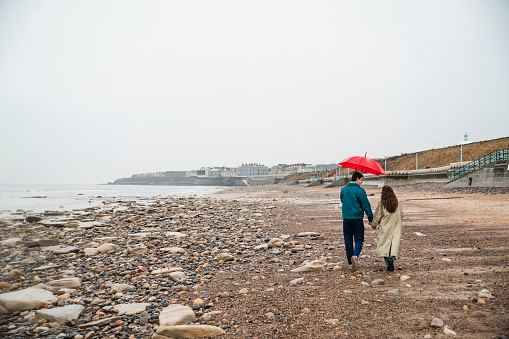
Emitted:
pixel 40 198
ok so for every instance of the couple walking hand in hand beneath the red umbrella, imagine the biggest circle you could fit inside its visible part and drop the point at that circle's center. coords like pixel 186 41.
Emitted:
pixel 387 219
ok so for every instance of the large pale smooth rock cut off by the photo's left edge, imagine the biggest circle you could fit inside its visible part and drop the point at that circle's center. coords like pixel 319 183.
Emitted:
pixel 26 299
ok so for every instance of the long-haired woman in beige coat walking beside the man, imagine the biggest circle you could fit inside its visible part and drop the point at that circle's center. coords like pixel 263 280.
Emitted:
pixel 387 218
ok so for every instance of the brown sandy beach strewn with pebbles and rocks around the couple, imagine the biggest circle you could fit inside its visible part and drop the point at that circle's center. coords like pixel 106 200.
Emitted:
pixel 225 265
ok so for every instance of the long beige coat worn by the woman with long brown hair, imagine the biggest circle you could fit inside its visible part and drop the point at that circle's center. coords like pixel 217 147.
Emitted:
pixel 389 230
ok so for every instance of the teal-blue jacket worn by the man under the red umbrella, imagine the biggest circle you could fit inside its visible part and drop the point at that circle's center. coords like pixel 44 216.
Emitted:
pixel 355 202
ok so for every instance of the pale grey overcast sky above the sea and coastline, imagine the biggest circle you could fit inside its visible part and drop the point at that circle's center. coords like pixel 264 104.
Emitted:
pixel 91 91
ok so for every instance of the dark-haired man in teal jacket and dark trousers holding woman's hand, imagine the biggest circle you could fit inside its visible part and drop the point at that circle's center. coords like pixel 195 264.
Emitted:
pixel 354 203
